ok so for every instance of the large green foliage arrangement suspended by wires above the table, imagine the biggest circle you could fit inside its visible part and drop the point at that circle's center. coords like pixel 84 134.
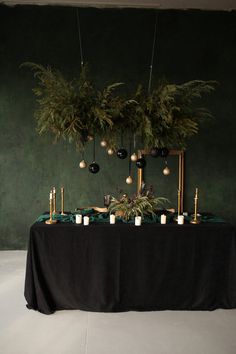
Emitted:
pixel 75 109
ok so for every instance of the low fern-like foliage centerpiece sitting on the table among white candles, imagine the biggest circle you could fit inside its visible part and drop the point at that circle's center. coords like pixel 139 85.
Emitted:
pixel 140 205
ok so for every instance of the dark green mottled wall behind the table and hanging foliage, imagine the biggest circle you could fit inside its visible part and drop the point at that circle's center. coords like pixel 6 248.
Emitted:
pixel 117 45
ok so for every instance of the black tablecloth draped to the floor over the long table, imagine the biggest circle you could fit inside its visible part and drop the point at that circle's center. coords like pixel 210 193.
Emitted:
pixel 122 267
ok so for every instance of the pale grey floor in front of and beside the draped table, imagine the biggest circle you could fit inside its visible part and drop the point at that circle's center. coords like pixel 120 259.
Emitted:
pixel 75 332
